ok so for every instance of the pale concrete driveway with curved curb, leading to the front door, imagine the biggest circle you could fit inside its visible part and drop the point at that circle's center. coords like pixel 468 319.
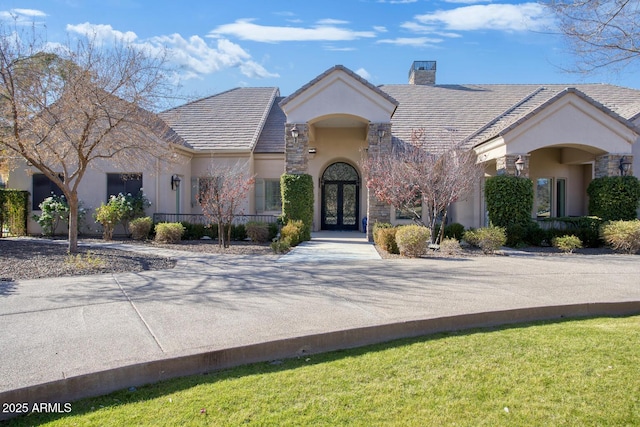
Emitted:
pixel 65 338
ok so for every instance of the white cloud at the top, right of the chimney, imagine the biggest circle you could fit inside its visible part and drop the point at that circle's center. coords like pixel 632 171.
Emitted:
pixel 505 17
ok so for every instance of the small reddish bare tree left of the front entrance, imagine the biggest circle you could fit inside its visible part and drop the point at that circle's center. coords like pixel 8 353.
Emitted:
pixel 221 195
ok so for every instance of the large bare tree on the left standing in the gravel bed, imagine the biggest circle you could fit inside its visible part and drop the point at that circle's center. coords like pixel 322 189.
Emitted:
pixel 67 108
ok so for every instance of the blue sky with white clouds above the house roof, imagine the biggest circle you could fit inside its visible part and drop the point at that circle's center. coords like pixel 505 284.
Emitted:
pixel 218 45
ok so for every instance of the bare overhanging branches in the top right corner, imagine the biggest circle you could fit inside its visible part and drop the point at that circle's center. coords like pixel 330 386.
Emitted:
pixel 601 33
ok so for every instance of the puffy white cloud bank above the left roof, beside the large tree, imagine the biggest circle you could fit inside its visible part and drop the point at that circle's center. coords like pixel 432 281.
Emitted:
pixel 193 57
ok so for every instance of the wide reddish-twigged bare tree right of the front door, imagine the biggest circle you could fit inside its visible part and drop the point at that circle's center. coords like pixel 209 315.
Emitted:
pixel 412 174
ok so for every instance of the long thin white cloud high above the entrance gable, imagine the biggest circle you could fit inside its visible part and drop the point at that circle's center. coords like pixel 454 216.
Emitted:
pixel 245 29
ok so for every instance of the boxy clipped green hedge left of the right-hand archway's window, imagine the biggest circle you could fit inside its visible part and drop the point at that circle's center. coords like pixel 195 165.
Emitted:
pixel 509 200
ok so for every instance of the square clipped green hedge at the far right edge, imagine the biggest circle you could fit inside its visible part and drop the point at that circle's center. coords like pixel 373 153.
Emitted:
pixel 614 198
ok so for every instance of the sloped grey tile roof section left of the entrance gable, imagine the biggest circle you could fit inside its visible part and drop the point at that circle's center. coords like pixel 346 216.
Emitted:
pixel 231 120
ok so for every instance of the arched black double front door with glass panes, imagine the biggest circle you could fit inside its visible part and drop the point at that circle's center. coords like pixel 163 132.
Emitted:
pixel 340 197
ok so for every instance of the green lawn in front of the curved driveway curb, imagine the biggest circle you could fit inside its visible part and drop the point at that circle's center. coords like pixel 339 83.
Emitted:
pixel 571 373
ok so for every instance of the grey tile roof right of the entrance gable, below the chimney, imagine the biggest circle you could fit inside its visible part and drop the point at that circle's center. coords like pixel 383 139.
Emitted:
pixel 472 114
